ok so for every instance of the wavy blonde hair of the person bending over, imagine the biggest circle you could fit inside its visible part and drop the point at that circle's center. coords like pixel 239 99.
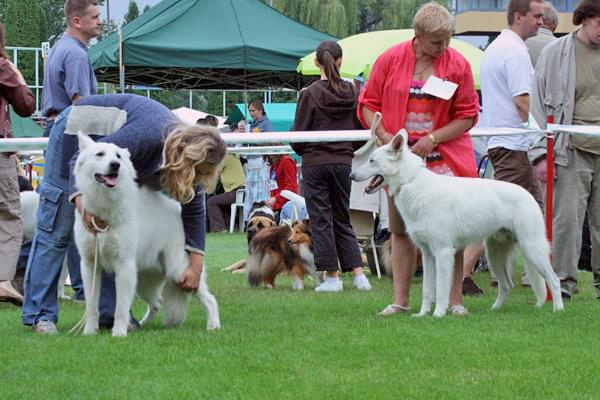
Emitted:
pixel 191 156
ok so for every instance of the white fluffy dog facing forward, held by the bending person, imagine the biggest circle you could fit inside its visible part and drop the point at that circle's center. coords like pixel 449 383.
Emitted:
pixel 143 246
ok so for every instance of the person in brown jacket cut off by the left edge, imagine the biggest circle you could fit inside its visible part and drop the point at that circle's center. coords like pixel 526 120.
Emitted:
pixel 14 92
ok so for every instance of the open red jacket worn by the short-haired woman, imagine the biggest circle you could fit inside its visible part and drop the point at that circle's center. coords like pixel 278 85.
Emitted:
pixel 387 91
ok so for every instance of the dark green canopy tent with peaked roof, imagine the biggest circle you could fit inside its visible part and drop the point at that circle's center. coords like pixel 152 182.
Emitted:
pixel 208 44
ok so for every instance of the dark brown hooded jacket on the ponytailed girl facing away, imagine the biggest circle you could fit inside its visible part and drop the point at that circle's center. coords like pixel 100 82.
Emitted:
pixel 320 108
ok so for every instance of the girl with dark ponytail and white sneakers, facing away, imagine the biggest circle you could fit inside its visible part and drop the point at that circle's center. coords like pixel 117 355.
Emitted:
pixel 329 104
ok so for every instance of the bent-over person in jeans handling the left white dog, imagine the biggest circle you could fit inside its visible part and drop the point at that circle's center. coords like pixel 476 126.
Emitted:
pixel 167 156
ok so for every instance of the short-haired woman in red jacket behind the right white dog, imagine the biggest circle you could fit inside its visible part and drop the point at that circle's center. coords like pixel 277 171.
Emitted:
pixel 437 127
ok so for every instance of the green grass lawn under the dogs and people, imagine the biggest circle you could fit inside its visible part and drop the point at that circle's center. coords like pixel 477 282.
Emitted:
pixel 280 344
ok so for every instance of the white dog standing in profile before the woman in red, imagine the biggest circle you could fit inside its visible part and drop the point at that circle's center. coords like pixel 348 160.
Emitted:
pixel 444 214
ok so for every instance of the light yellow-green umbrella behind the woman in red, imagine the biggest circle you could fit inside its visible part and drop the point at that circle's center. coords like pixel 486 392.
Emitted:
pixel 360 52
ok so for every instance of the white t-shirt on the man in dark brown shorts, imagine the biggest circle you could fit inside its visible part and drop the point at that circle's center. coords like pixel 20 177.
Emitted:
pixel 505 73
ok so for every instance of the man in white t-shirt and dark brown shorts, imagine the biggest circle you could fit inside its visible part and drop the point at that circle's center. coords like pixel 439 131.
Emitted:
pixel 506 82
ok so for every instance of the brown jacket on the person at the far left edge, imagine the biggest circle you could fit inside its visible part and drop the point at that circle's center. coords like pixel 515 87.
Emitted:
pixel 14 93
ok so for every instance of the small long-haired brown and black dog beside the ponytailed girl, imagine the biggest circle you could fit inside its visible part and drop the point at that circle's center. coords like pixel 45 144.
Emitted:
pixel 281 249
